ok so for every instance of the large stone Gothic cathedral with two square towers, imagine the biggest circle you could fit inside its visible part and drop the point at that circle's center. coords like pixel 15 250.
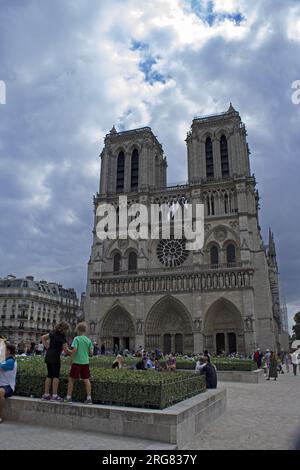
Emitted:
pixel 155 293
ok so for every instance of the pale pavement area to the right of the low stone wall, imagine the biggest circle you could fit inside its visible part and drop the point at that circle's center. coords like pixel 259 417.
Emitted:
pixel 258 416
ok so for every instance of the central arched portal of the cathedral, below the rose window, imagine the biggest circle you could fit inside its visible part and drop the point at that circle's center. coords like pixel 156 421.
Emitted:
pixel 169 327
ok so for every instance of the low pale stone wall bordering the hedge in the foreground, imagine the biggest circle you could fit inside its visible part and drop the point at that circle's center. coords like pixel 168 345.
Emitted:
pixel 177 424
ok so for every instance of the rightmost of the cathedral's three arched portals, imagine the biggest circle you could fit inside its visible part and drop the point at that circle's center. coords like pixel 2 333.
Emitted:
pixel 223 328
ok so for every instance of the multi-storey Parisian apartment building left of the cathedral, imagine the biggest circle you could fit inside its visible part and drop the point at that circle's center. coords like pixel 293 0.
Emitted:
pixel 30 308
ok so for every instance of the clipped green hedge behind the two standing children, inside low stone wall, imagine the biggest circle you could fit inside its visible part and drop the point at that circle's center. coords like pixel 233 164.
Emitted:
pixel 145 389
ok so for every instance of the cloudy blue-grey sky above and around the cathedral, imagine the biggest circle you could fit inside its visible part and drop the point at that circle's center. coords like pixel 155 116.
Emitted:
pixel 73 68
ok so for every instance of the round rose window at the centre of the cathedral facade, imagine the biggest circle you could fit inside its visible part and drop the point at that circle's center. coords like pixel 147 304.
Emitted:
pixel 172 252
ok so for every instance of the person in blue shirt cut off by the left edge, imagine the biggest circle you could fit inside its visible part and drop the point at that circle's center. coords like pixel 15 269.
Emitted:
pixel 8 372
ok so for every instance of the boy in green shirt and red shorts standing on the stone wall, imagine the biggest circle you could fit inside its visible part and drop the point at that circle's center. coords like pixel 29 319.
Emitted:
pixel 82 347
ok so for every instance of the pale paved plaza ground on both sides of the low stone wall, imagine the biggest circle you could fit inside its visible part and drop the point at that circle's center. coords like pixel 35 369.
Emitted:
pixel 258 416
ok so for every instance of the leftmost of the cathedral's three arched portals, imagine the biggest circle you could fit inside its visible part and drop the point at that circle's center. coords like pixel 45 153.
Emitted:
pixel 117 331
